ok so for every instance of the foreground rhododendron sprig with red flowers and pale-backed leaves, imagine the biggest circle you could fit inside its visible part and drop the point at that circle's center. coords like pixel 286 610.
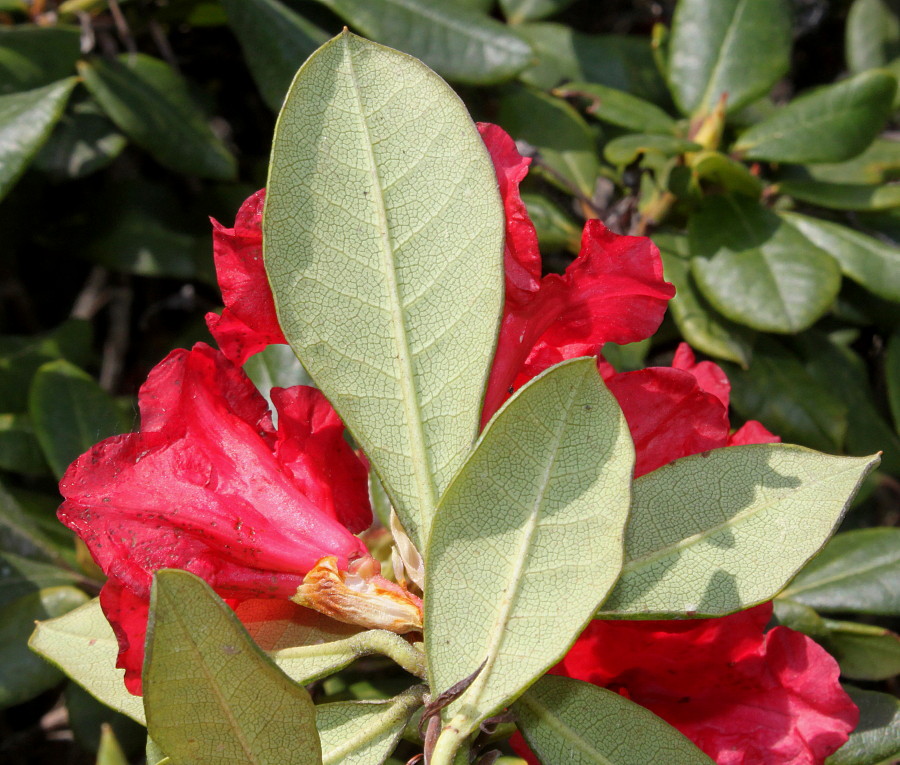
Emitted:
pixel 531 486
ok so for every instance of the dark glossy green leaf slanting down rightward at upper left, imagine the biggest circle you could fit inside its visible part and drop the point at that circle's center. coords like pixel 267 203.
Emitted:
pixel 149 102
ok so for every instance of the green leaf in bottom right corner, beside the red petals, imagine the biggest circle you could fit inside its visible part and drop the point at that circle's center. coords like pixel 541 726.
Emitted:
pixel 876 740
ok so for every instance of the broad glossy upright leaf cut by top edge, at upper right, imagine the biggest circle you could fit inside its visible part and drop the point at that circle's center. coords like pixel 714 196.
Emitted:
pixel 735 48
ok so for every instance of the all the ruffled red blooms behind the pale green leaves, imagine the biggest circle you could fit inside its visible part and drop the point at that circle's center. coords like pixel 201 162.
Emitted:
pixel 211 486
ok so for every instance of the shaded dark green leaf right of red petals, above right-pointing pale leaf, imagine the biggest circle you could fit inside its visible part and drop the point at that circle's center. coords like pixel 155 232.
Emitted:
pixel 778 390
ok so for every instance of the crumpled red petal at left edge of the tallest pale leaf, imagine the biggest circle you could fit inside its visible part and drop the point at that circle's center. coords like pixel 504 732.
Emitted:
pixel 248 324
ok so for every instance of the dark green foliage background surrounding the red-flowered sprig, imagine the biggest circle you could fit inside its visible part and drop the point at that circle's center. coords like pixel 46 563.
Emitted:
pixel 107 183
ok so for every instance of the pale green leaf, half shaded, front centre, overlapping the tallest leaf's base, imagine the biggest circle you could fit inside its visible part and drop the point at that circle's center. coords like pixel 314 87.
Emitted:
pixel 538 509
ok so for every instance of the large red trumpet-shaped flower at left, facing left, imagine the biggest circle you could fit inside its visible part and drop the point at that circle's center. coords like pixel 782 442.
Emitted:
pixel 209 486
